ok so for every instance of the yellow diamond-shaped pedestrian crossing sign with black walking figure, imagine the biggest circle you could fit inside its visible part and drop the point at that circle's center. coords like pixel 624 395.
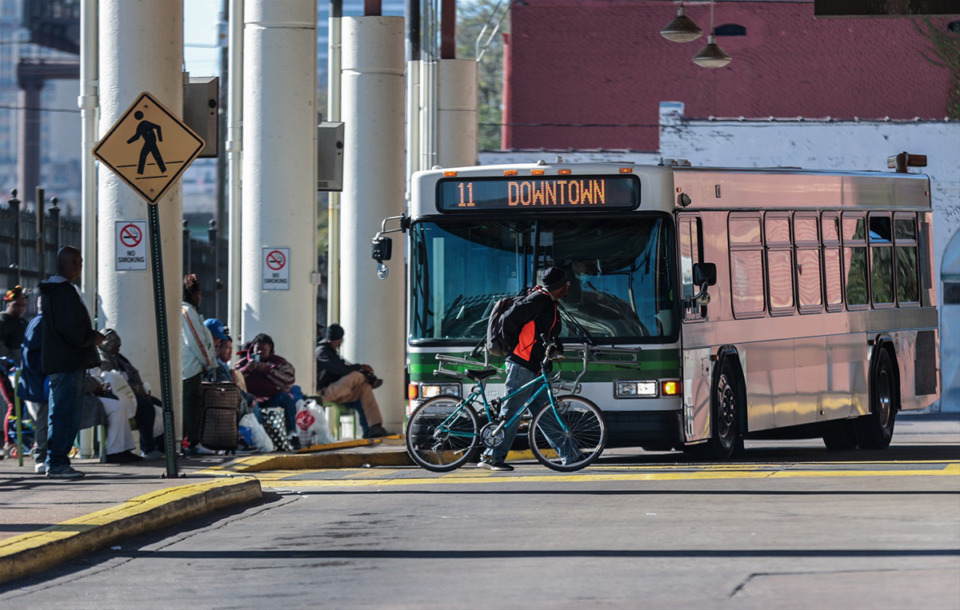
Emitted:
pixel 149 148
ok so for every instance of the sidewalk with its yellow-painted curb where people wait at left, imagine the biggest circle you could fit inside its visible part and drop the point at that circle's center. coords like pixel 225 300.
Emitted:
pixel 44 522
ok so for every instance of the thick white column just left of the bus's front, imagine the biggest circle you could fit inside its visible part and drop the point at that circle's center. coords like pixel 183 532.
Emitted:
pixel 372 310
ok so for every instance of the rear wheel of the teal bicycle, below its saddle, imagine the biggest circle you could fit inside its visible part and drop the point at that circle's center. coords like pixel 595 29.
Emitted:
pixel 442 434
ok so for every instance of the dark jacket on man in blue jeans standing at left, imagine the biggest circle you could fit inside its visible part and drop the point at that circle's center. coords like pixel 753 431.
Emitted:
pixel 68 337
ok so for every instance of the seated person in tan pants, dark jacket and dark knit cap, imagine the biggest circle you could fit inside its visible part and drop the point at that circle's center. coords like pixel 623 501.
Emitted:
pixel 340 382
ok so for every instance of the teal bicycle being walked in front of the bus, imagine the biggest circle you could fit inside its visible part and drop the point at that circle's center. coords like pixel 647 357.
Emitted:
pixel 566 434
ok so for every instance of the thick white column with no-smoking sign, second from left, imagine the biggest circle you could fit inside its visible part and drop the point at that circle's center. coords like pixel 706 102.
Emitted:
pixel 279 179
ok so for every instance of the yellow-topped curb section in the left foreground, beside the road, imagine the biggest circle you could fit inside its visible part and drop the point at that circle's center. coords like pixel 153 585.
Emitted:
pixel 36 551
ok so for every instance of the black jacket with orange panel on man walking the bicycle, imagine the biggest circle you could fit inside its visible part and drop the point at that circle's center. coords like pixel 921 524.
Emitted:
pixel 533 316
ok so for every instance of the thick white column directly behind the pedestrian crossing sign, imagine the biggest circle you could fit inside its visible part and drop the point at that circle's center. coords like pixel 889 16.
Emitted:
pixel 141 49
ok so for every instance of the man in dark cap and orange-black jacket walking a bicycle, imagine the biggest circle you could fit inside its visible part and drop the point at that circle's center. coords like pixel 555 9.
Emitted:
pixel 534 316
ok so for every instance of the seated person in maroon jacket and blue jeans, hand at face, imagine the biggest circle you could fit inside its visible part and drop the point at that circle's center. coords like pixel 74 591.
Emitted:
pixel 269 379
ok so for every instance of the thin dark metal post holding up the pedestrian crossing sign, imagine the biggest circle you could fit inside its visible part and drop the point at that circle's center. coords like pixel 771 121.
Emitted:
pixel 159 298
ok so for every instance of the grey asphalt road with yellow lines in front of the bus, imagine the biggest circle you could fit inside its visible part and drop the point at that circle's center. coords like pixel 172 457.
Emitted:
pixel 788 526
